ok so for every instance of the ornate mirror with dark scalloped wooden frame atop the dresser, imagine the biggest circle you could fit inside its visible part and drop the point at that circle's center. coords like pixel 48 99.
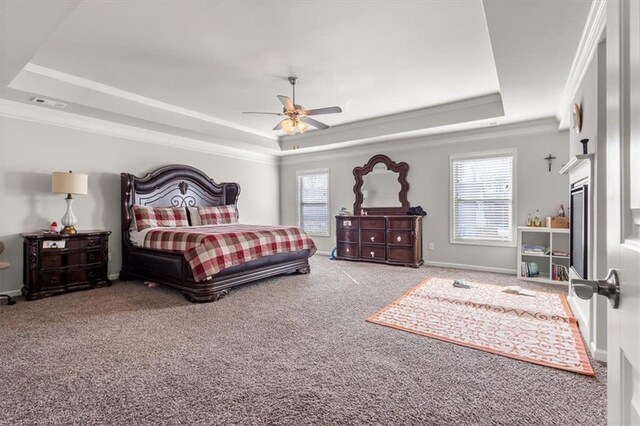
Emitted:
pixel 381 187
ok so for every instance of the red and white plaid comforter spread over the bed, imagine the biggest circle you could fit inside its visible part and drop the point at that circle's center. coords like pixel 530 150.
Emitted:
pixel 211 249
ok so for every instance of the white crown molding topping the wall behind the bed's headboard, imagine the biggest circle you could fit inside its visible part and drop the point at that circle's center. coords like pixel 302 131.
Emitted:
pixel 39 114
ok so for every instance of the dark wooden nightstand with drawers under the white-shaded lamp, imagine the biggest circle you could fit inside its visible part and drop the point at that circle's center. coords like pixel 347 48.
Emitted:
pixel 57 263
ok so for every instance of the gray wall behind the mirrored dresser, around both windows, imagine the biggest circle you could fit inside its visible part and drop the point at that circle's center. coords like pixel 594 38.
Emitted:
pixel 428 159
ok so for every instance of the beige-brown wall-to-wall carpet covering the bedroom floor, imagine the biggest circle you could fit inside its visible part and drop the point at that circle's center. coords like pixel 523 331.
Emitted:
pixel 289 350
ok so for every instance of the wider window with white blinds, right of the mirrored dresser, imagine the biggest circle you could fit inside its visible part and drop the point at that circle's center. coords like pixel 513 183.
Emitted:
pixel 482 198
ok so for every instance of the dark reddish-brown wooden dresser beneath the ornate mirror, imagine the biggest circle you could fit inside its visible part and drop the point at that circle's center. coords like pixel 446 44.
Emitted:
pixel 392 239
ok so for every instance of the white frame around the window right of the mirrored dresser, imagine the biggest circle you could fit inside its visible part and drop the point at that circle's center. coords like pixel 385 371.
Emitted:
pixel 514 185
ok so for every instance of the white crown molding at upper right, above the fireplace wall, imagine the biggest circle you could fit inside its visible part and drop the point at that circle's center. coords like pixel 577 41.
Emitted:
pixel 591 36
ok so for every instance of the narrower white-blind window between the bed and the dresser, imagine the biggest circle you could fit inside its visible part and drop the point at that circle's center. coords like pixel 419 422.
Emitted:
pixel 313 201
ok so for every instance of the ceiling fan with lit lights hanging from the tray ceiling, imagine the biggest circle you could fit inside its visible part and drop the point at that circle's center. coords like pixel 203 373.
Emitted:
pixel 297 118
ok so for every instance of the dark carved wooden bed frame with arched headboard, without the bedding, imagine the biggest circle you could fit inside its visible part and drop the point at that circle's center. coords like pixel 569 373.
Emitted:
pixel 185 186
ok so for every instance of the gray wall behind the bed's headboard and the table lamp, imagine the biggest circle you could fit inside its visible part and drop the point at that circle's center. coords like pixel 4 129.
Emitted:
pixel 30 151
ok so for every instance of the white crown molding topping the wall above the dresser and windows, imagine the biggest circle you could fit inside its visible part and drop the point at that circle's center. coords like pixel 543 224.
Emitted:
pixel 541 126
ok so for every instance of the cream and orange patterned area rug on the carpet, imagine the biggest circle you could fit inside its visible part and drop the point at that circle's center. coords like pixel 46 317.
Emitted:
pixel 539 329
